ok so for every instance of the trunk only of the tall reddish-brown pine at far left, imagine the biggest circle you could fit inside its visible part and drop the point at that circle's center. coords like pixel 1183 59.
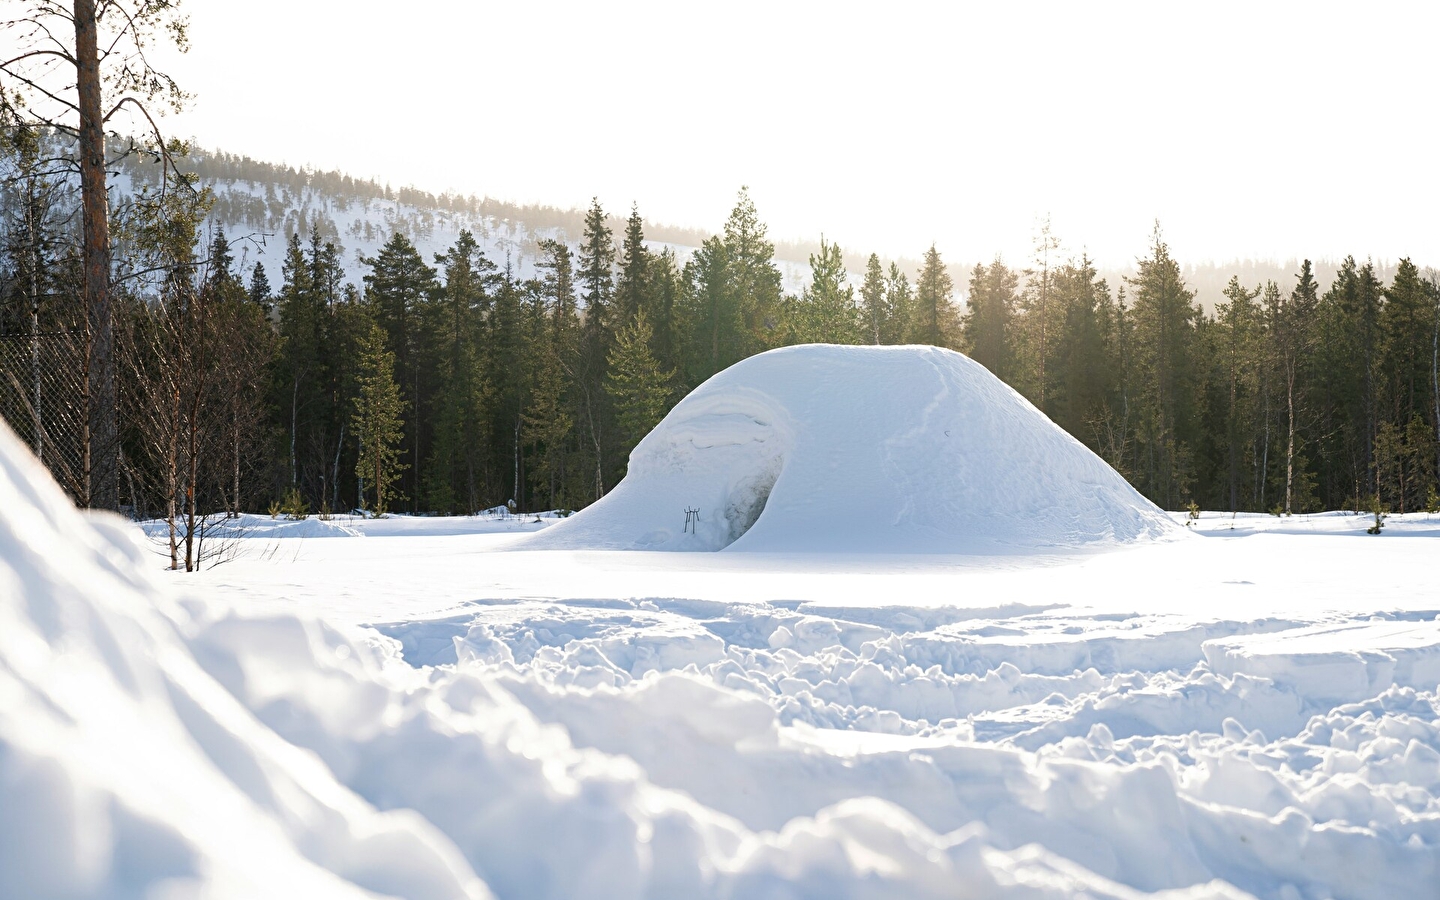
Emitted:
pixel 103 433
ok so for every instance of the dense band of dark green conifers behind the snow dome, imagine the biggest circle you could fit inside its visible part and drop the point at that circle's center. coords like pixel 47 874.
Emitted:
pixel 453 384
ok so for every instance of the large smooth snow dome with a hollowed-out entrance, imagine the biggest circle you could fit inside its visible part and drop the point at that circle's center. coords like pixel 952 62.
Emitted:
pixel 886 450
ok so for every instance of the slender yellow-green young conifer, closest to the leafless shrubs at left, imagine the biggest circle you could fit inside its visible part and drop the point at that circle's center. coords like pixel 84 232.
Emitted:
pixel 377 421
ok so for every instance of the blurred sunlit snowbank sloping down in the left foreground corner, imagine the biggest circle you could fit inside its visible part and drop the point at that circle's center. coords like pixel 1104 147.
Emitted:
pixel 126 770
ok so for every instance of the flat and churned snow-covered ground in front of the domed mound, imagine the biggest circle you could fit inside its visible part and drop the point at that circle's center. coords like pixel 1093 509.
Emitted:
pixel 1256 706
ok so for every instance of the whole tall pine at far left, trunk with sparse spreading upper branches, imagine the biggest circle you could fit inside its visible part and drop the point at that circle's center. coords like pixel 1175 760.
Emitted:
pixel 84 70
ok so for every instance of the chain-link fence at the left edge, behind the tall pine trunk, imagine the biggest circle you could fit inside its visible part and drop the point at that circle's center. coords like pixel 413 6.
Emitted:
pixel 42 398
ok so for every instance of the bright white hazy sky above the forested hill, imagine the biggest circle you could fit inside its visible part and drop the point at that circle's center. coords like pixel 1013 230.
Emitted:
pixel 1248 130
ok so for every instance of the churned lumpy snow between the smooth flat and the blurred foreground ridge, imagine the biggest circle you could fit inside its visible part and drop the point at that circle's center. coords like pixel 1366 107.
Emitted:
pixel 1148 778
